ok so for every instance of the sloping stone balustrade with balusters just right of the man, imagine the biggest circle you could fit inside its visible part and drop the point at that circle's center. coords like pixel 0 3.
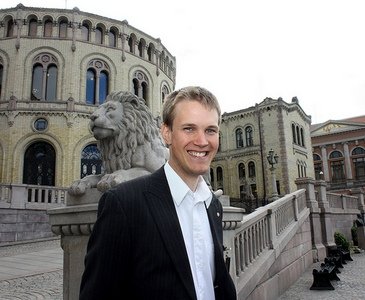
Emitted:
pixel 254 242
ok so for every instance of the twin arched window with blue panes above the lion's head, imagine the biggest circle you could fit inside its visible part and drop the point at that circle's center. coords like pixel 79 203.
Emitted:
pixel 97 82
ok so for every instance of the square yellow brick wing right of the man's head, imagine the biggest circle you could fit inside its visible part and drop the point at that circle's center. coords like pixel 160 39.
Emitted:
pixel 247 136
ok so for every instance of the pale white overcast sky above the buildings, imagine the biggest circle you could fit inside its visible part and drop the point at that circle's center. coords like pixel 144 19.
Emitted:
pixel 247 50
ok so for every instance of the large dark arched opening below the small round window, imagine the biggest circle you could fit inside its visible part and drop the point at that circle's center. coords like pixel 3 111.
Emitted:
pixel 39 164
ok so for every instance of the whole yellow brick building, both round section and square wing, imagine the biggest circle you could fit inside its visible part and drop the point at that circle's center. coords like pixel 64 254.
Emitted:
pixel 58 65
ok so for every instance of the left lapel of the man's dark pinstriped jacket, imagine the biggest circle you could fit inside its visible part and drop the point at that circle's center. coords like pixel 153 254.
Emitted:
pixel 163 210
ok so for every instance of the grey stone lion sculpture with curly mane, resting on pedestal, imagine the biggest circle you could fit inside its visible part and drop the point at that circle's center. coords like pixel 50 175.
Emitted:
pixel 129 141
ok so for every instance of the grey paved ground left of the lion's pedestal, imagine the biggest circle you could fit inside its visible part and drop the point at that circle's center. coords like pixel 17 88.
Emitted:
pixel 31 271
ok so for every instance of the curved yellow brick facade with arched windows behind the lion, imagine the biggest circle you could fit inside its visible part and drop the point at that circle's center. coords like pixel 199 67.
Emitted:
pixel 56 67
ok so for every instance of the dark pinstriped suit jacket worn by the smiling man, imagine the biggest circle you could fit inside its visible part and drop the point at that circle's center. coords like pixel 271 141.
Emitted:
pixel 137 250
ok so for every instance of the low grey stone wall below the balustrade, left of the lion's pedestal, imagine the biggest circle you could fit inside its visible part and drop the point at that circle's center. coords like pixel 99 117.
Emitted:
pixel 24 224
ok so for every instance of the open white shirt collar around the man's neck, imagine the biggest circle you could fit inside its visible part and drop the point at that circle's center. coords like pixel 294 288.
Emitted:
pixel 179 189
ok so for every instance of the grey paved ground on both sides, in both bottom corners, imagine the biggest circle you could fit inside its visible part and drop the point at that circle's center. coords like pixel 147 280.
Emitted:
pixel 34 271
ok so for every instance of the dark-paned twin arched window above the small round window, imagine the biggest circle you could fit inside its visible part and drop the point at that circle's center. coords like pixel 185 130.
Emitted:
pixel 44 78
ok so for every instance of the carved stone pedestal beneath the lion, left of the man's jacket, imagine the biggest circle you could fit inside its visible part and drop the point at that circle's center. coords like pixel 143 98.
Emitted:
pixel 74 224
